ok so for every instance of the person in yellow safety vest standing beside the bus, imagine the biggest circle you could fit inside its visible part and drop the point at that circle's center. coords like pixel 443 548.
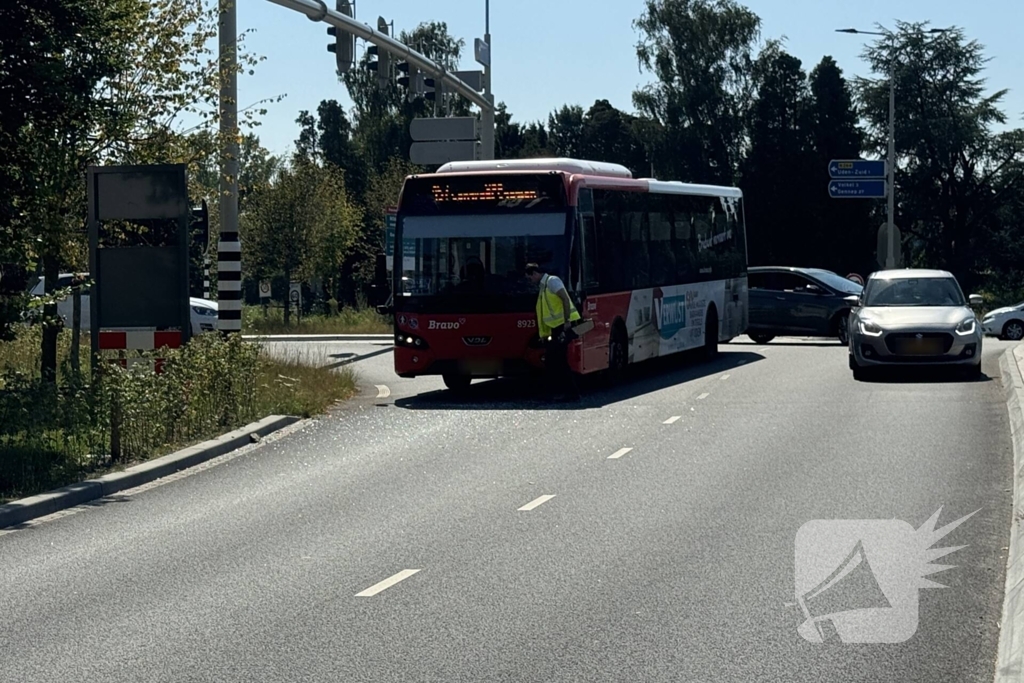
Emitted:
pixel 556 330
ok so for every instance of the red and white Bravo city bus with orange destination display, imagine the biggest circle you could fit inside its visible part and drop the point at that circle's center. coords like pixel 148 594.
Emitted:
pixel 659 268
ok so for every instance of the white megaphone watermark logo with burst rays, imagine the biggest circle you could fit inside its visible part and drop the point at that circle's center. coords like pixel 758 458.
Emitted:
pixel 858 580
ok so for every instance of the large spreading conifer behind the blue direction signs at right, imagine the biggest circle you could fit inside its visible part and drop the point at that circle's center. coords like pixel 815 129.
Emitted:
pixel 953 172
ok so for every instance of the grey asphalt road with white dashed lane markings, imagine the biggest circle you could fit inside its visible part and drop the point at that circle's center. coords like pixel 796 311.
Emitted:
pixel 672 562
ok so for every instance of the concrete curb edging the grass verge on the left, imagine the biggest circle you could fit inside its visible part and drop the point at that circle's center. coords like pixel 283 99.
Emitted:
pixel 27 509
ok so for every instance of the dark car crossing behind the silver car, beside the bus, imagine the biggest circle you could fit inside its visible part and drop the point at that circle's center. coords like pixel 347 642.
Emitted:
pixel 798 302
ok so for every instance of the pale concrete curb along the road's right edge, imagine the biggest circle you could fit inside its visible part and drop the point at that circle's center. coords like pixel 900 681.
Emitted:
pixel 1010 658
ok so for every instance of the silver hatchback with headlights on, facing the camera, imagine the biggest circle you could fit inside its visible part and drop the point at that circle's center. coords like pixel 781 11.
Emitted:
pixel 914 318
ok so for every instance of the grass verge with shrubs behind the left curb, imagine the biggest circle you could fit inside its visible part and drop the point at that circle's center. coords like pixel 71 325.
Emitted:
pixel 55 436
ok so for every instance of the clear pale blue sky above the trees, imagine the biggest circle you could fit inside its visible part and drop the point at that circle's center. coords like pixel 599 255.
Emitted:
pixel 552 53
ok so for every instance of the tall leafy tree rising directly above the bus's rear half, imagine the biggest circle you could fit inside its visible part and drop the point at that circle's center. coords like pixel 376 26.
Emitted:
pixel 700 53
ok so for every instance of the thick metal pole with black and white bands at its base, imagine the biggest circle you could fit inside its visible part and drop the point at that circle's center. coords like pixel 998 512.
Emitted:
pixel 229 246
